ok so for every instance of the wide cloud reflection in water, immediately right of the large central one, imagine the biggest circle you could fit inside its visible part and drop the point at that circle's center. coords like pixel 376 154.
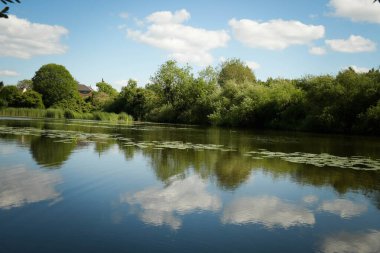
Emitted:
pixel 267 210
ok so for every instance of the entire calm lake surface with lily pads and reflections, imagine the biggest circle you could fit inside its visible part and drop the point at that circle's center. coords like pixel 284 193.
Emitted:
pixel 88 187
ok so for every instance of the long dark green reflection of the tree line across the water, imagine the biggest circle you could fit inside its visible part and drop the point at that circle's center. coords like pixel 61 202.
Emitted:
pixel 217 154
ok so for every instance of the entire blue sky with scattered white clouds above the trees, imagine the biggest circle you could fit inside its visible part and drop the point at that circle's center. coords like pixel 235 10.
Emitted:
pixel 116 40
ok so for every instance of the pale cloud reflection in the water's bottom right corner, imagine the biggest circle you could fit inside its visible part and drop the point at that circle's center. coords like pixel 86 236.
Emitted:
pixel 352 243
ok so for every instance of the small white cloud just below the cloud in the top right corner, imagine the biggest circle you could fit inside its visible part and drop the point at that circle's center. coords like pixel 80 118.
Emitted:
pixel 354 44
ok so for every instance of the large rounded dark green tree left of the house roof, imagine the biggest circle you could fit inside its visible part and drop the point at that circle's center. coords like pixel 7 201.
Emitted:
pixel 57 87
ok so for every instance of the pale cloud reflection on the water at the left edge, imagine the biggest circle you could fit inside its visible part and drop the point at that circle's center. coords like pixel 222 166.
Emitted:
pixel 20 186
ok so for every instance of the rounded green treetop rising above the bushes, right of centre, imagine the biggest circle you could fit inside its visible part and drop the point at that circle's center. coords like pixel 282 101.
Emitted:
pixel 235 69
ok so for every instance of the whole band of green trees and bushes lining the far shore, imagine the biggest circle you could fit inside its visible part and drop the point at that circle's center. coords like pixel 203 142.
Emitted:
pixel 229 95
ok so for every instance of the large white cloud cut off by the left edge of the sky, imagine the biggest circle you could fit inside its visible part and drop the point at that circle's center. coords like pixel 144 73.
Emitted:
pixel 22 39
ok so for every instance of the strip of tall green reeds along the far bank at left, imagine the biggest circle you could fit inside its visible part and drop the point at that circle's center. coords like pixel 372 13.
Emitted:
pixel 64 114
